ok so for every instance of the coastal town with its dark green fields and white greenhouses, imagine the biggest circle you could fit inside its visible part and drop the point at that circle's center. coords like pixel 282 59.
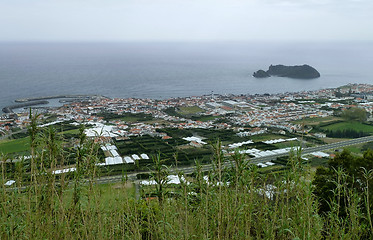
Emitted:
pixel 190 121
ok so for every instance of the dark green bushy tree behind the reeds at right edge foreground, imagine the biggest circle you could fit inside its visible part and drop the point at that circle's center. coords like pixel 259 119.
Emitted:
pixel 344 188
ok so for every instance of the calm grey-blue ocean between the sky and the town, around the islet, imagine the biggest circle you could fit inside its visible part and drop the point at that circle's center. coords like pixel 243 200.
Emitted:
pixel 175 69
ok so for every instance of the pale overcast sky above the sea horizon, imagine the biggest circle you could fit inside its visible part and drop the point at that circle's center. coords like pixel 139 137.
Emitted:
pixel 186 20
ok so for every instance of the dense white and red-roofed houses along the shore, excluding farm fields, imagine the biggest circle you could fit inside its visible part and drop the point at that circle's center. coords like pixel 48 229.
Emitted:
pixel 259 112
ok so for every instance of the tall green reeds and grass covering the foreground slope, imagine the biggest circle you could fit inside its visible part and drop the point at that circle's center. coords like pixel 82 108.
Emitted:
pixel 250 206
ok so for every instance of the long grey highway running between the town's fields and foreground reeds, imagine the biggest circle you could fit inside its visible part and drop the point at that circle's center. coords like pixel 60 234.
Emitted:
pixel 255 160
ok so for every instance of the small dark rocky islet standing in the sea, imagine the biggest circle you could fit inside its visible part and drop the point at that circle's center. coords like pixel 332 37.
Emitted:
pixel 300 72
